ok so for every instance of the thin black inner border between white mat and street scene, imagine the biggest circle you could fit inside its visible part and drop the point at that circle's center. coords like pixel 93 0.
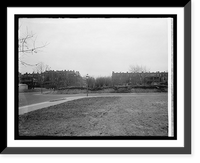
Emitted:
pixel 109 16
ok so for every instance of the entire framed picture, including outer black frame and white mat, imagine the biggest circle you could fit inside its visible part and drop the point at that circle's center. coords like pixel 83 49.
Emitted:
pixel 98 80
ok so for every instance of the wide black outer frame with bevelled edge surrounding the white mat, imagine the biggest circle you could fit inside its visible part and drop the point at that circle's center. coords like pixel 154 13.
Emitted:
pixel 188 114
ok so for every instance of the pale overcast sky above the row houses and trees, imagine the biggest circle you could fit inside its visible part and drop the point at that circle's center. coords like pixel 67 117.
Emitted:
pixel 98 46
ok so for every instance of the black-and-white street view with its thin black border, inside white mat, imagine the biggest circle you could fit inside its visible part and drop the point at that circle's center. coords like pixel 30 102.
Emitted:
pixel 95 77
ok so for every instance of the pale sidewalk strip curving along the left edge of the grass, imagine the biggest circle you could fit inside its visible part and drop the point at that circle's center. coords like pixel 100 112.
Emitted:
pixel 28 108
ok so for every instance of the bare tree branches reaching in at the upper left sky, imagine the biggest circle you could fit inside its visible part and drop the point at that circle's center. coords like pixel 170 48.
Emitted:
pixel 27 45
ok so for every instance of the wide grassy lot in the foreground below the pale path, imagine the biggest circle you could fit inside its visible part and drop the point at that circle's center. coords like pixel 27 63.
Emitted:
pixel 143 115
